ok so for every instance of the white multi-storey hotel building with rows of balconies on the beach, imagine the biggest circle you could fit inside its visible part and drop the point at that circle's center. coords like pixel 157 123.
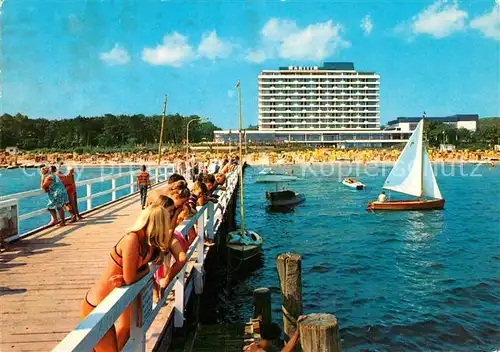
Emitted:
pixel 329 105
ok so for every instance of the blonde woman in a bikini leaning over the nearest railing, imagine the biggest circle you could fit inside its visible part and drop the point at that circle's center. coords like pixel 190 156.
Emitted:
pixel 146 242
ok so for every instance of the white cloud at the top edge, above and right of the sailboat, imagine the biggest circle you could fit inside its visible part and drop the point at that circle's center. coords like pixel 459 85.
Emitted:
pixel 439 20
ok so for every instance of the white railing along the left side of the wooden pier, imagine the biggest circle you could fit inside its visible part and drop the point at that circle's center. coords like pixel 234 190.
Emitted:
pixel 158 174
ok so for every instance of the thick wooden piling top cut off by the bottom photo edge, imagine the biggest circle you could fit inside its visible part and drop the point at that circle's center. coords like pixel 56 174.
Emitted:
pixel 319 333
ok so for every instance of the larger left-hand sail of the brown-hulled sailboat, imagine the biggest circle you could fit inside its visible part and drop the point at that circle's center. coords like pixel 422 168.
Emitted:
pixel 406 175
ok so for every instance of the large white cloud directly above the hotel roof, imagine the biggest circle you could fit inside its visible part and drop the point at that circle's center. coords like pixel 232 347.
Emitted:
pixel 284 39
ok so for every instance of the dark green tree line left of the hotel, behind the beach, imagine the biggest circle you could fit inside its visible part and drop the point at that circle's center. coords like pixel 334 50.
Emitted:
pixel 99 131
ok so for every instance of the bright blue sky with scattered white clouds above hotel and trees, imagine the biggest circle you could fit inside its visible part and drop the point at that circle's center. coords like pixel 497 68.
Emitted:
pixel 60 59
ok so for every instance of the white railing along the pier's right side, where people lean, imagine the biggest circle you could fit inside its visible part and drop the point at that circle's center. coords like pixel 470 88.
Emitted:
pixel 86 334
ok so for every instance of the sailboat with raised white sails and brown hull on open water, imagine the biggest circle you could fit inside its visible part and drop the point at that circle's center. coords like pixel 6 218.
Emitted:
pixel 412 175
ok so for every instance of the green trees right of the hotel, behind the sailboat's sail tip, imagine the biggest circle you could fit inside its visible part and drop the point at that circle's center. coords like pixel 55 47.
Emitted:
pixel 486 135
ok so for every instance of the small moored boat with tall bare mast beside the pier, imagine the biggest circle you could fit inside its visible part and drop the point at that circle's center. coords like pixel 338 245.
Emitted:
pixel 242 244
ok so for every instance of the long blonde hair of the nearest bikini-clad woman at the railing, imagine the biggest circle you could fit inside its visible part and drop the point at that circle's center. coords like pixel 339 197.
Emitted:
pixel 155 221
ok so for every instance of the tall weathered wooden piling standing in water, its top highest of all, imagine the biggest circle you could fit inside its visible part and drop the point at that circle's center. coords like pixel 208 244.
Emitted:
pixel 289 272
